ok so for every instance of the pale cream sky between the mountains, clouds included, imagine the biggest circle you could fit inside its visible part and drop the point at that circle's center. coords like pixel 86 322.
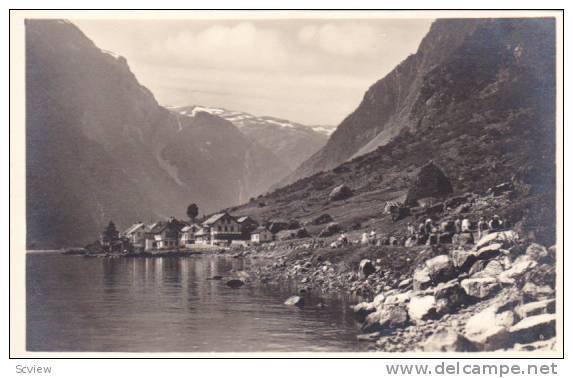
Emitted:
pixel 312 71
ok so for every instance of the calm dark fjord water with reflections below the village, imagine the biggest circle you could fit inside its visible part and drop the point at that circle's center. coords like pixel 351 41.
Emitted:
pixel 170 305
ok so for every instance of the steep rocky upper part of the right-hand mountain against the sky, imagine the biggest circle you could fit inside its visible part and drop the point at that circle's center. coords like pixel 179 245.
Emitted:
pixel 461 63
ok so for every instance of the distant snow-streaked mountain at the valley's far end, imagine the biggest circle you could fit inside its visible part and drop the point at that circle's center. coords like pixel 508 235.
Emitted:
pixel 291 142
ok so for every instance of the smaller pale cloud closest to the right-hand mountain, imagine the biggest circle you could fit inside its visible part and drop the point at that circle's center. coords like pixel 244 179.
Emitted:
pixel 351 39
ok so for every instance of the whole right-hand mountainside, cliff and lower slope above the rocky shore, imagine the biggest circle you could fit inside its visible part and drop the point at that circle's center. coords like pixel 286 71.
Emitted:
pixel 477 99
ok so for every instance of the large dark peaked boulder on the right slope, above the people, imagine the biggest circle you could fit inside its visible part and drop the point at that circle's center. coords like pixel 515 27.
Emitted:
pixel 430 182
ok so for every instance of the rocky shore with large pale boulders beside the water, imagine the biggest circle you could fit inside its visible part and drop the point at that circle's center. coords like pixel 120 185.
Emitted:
pixel 496 295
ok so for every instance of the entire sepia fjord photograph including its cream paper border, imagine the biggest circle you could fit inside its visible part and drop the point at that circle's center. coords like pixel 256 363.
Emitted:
pixel 260 183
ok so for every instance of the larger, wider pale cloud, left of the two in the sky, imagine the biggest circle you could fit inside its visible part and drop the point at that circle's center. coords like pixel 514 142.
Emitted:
pixel 240 46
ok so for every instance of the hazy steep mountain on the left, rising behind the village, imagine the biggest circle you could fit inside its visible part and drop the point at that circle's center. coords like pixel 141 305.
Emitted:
pixel 99 147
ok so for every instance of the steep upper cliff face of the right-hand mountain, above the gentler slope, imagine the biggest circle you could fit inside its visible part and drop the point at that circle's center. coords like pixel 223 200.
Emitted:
pixel 483 48
